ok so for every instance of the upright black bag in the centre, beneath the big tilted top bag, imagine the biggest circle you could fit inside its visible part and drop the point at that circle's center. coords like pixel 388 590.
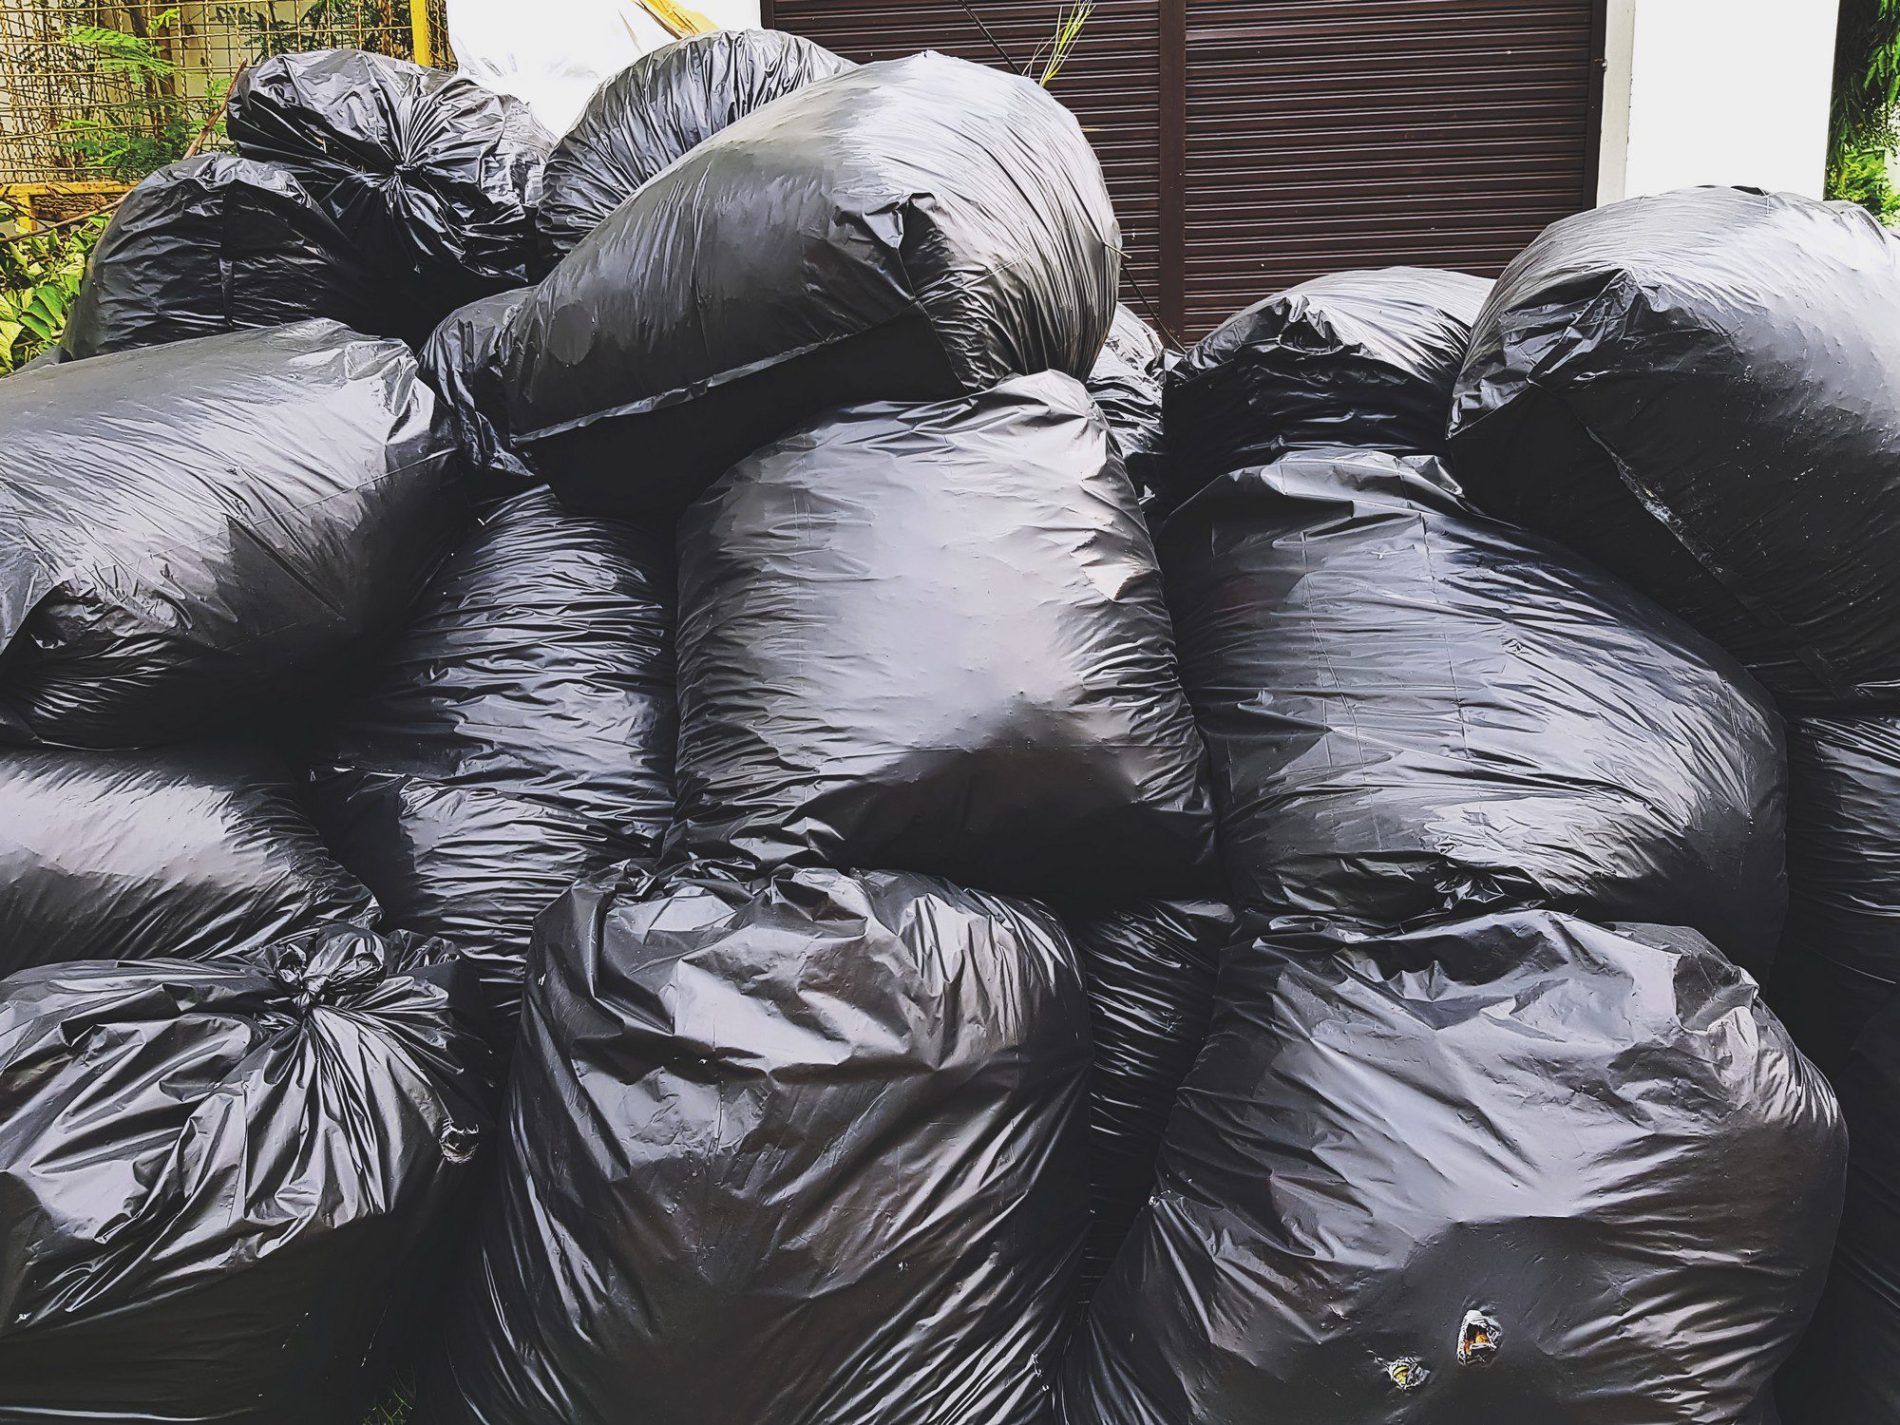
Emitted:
pixel 934 639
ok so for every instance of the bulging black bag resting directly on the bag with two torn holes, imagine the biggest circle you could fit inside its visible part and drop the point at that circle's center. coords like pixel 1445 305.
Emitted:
pixel 1415 712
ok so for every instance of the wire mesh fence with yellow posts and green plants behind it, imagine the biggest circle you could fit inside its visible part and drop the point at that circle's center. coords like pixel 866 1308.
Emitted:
pixel 96 96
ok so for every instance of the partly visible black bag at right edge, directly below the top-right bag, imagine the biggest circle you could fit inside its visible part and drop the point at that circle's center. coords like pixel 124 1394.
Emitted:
pixel 1840 957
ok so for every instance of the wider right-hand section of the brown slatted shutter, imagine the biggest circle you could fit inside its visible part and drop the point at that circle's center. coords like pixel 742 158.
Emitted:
pixel 1344 134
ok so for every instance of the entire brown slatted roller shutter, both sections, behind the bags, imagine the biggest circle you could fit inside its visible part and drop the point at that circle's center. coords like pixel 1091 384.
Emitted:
pixel 1257 143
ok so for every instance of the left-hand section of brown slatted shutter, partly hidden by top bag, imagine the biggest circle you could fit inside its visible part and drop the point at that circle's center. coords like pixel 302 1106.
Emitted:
pixel 1112 83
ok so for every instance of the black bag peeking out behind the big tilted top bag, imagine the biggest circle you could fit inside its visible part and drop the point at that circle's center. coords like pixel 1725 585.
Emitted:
pixel 658 109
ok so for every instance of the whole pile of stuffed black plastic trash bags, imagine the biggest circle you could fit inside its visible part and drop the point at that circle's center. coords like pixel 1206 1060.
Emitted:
pixel 675 770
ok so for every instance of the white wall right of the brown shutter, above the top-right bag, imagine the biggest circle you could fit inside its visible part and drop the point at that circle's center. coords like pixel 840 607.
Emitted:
pixel 1717 92
